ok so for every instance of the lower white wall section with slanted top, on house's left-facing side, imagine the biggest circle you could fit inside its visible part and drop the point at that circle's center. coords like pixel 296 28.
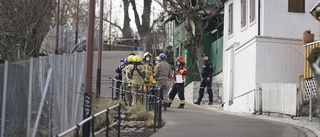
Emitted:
pixel 244 77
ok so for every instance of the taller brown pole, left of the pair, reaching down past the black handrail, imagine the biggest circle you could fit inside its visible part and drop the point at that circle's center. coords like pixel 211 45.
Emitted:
pixel 89 65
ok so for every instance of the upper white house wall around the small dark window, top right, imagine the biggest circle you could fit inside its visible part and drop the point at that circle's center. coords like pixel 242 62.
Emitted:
pixel 276 21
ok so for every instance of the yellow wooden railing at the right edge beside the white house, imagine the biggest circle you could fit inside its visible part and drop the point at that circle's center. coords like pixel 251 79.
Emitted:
pixel 307 73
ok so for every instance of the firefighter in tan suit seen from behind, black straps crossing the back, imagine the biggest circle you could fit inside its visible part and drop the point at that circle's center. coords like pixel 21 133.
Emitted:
pixel 135 72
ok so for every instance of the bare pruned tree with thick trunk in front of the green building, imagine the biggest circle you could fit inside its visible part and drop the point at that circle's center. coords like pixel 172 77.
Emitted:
pixel 197 13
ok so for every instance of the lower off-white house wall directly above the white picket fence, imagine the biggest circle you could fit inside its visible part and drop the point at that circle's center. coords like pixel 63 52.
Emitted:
pixel 279 60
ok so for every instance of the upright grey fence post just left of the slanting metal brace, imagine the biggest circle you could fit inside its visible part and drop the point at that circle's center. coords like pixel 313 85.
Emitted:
pixel 30 98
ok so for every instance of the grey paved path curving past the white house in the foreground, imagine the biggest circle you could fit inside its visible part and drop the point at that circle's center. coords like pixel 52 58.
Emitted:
pixel 212 121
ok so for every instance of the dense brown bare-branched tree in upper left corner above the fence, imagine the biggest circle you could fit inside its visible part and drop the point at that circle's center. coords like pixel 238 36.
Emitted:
pixel 23 26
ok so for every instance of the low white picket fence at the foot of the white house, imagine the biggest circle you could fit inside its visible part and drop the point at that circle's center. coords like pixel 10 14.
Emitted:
pixel 279 98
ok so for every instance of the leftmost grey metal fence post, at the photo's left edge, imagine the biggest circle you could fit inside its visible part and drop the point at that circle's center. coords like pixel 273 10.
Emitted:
pixel 4 99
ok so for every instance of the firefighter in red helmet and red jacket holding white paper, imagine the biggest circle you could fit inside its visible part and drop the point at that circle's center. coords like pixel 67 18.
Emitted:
pixel 179 78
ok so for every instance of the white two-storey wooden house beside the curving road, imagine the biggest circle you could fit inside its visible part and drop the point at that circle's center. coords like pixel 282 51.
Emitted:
pixel 262 44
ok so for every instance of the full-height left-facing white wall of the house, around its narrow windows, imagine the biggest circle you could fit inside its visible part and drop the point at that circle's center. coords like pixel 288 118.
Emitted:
pixel 239 68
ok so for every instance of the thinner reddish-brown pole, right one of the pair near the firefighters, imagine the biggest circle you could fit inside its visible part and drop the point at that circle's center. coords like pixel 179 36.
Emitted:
pixel 100 49
